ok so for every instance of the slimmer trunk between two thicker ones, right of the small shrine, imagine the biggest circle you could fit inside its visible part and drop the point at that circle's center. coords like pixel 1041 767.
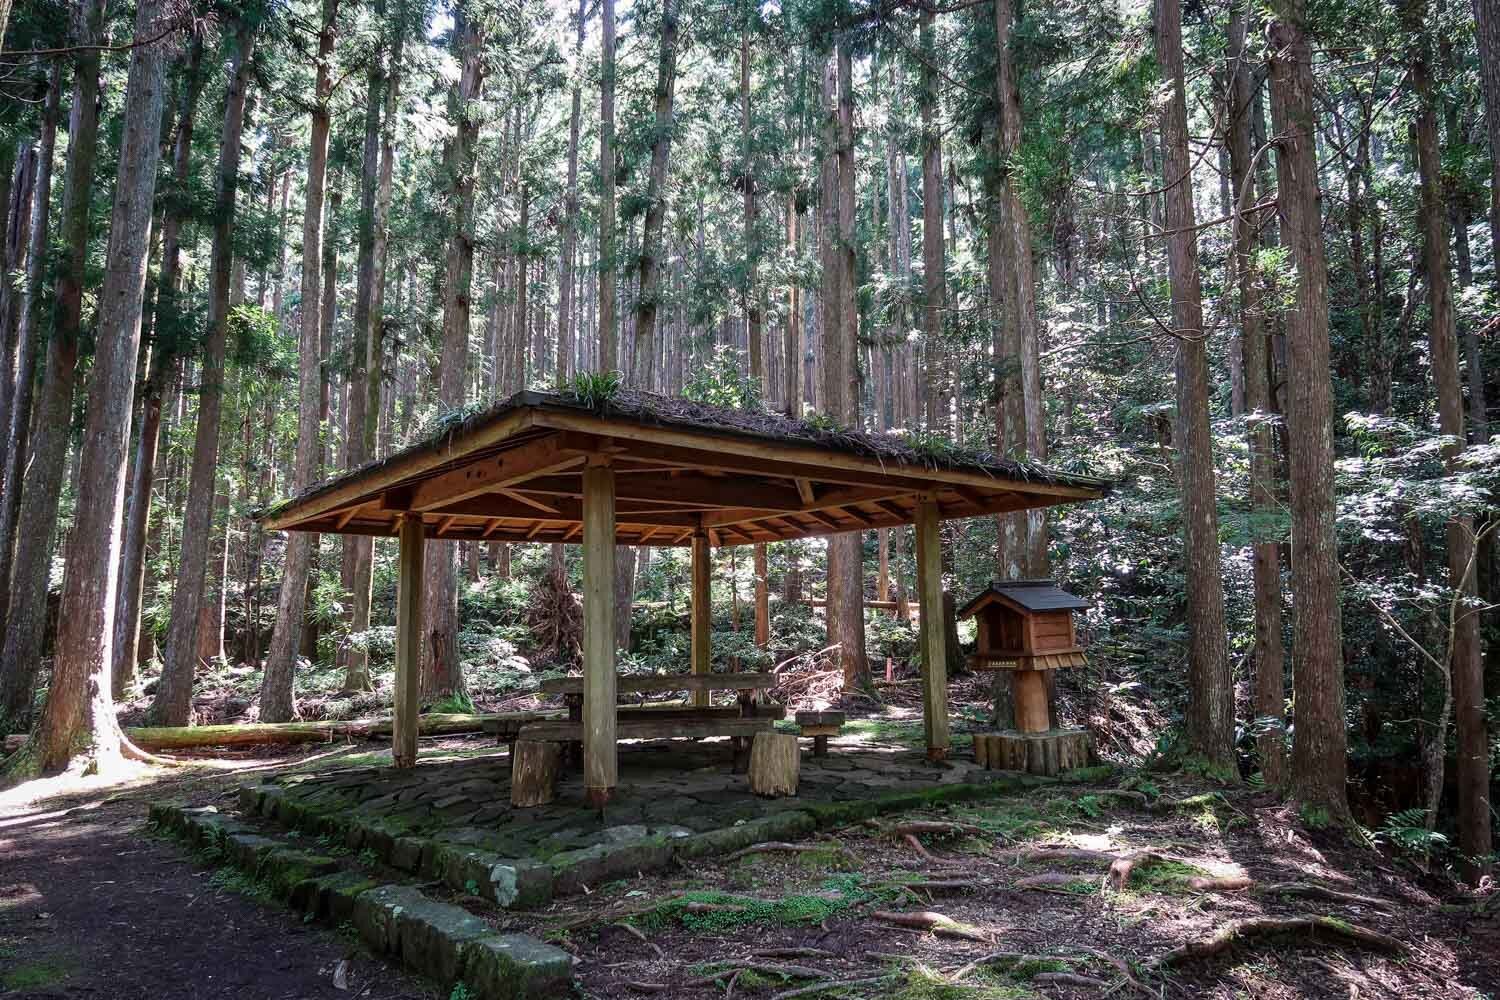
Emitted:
pixel 1270 657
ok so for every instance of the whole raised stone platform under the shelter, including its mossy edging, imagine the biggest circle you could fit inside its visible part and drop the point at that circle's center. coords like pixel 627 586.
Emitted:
pixel 451 821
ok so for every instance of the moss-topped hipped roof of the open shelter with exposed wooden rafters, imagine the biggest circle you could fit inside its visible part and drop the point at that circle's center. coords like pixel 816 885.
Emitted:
pixel 770 470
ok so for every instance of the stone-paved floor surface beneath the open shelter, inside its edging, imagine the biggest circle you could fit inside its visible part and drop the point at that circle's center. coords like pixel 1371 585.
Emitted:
pixel 665 788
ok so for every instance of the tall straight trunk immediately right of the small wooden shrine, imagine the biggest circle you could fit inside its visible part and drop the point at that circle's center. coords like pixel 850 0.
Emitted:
pixel 1211 689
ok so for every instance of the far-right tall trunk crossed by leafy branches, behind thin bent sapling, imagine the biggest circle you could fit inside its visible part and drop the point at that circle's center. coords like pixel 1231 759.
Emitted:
pixel 1465 659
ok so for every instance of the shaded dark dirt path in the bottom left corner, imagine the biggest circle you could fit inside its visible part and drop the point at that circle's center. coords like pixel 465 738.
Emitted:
pixel 91 906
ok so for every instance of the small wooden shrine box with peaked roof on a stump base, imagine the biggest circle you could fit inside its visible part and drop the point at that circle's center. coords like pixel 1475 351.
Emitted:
pixel 1025 629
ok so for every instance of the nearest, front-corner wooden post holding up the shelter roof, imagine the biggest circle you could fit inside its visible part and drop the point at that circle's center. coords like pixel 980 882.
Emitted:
pixel 601 750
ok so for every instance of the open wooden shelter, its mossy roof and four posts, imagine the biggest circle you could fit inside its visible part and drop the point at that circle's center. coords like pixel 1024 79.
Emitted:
pixel 646 470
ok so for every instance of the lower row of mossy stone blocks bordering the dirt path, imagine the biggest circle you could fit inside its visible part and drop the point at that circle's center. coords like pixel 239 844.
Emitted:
pixel 440 941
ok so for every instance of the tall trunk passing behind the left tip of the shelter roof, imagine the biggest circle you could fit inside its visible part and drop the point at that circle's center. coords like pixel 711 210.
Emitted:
pixel 278 698
